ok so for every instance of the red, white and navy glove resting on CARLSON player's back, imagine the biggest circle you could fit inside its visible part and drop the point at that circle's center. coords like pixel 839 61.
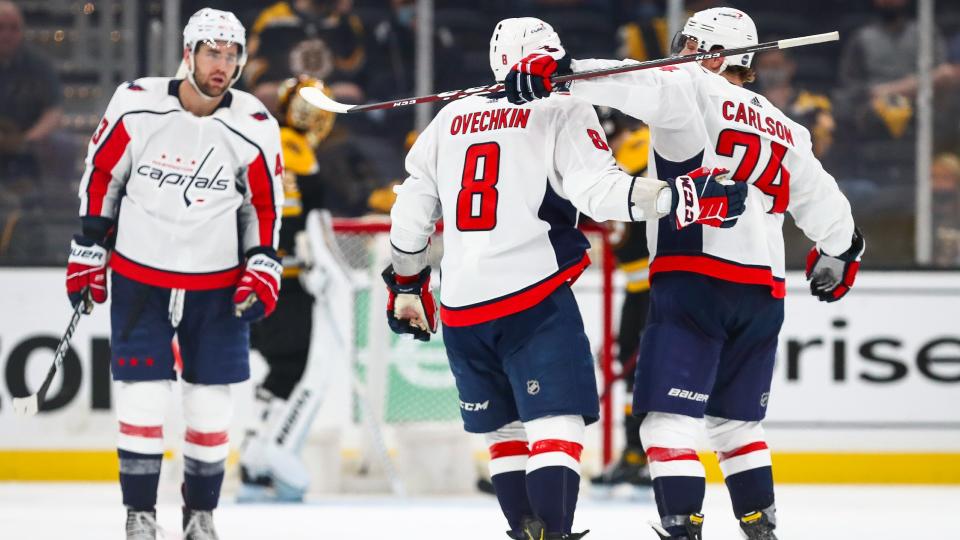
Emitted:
pixel 702 197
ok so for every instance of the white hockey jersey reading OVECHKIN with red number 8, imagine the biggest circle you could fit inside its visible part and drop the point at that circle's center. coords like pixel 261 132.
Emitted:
pixel 507 181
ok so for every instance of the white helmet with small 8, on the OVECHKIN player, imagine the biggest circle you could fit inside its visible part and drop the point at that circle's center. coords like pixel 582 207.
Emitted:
pixel 513 39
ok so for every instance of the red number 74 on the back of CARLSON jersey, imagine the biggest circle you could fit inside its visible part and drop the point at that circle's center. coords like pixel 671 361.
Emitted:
pixel 774 180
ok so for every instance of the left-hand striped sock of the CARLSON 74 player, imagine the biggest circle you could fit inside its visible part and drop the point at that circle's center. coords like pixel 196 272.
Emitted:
pixel 678 476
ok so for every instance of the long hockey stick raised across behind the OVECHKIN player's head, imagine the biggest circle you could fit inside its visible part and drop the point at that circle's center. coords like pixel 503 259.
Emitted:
pixel 317 98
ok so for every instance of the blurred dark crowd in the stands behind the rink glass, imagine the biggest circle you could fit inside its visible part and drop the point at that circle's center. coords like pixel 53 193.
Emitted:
pixel 857 96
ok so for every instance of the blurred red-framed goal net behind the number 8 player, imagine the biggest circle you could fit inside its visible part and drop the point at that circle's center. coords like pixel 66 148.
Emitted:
pixel 405 432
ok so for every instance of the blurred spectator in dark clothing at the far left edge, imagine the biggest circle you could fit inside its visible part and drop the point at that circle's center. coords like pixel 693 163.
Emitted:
pixel 30 97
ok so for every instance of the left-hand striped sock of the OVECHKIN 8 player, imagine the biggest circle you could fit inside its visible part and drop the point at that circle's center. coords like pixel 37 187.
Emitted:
pixel 508 470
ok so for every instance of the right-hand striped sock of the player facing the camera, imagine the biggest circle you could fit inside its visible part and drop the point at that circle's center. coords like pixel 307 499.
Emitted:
pixel 207 410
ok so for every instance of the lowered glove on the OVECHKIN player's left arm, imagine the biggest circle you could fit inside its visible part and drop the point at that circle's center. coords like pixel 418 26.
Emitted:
pixel 411 307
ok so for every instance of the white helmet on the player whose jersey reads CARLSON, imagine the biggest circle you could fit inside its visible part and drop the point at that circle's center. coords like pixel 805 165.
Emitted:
pixel 723 26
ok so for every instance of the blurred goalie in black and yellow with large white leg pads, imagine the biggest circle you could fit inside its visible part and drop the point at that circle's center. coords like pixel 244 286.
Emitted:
pixel 287 399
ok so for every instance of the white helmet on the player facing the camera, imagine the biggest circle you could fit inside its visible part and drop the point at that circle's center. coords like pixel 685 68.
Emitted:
pixel 211 25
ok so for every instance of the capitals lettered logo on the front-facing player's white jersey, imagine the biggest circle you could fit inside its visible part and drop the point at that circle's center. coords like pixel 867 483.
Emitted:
pixel 191 177
